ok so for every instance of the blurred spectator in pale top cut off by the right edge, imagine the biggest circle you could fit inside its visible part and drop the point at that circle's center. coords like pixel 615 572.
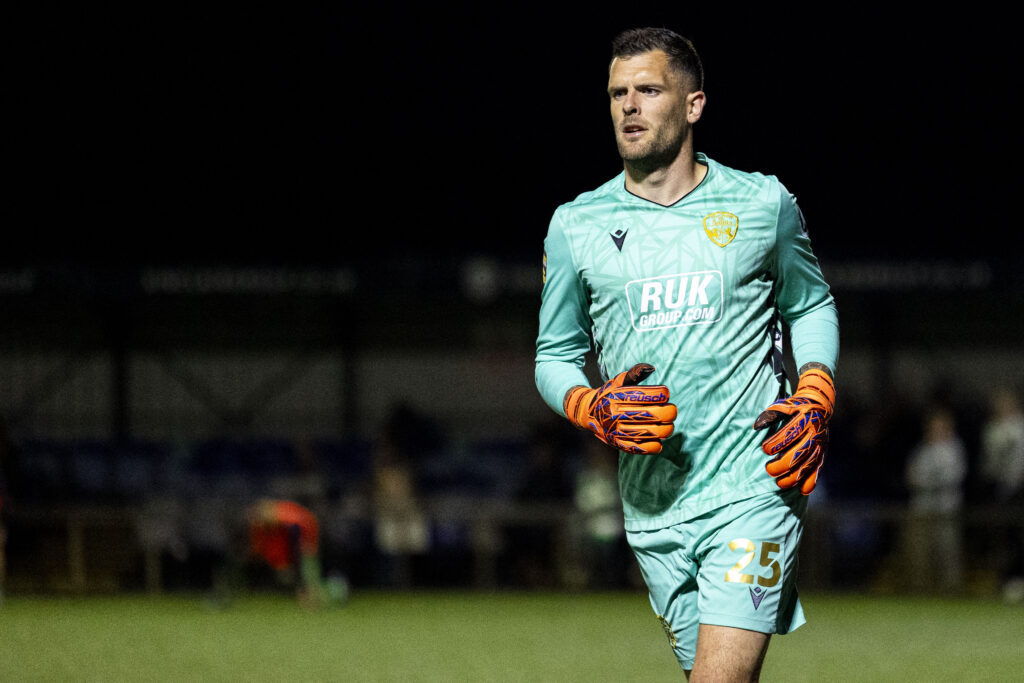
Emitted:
pixel 1003 475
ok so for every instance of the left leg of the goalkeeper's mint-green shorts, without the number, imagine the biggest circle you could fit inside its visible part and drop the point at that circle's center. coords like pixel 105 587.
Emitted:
pixel 671 578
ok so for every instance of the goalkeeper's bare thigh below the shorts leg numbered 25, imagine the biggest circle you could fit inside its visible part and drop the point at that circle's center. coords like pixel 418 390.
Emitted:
pixel 729 656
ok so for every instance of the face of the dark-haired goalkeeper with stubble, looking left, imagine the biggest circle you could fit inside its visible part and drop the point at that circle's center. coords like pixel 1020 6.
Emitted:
pixel 652 108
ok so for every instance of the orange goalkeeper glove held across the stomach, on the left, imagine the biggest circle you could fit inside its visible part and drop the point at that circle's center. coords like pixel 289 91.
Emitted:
pixel 631 418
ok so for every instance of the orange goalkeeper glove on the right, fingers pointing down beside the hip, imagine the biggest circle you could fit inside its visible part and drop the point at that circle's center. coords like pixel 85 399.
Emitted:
pixel 800 446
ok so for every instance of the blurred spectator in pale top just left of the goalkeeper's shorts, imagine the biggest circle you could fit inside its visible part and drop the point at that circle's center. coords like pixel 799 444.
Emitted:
pixel 605 552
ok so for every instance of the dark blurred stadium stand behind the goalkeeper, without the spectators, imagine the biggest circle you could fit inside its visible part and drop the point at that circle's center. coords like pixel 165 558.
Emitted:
pixel 139 400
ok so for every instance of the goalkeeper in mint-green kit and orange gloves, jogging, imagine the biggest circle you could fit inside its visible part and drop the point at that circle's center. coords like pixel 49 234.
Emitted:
pixel 680 273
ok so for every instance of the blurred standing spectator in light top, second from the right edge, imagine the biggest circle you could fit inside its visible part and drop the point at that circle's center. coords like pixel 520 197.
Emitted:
pixel 935 477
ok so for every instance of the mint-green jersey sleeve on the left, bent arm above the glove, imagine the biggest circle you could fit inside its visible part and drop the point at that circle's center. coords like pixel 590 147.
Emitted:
pixel 564 336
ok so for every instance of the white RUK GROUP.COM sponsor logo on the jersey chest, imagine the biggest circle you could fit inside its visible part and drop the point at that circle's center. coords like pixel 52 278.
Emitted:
pixel 672 302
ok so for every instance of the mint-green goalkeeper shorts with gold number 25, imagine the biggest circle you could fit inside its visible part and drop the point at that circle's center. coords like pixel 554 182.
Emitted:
pixel 733 567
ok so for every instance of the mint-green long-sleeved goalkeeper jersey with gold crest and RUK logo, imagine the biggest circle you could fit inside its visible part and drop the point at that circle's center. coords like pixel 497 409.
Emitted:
pixel 699 290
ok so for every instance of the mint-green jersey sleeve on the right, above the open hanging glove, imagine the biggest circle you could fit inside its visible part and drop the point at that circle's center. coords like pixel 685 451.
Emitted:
pixel 802 294
